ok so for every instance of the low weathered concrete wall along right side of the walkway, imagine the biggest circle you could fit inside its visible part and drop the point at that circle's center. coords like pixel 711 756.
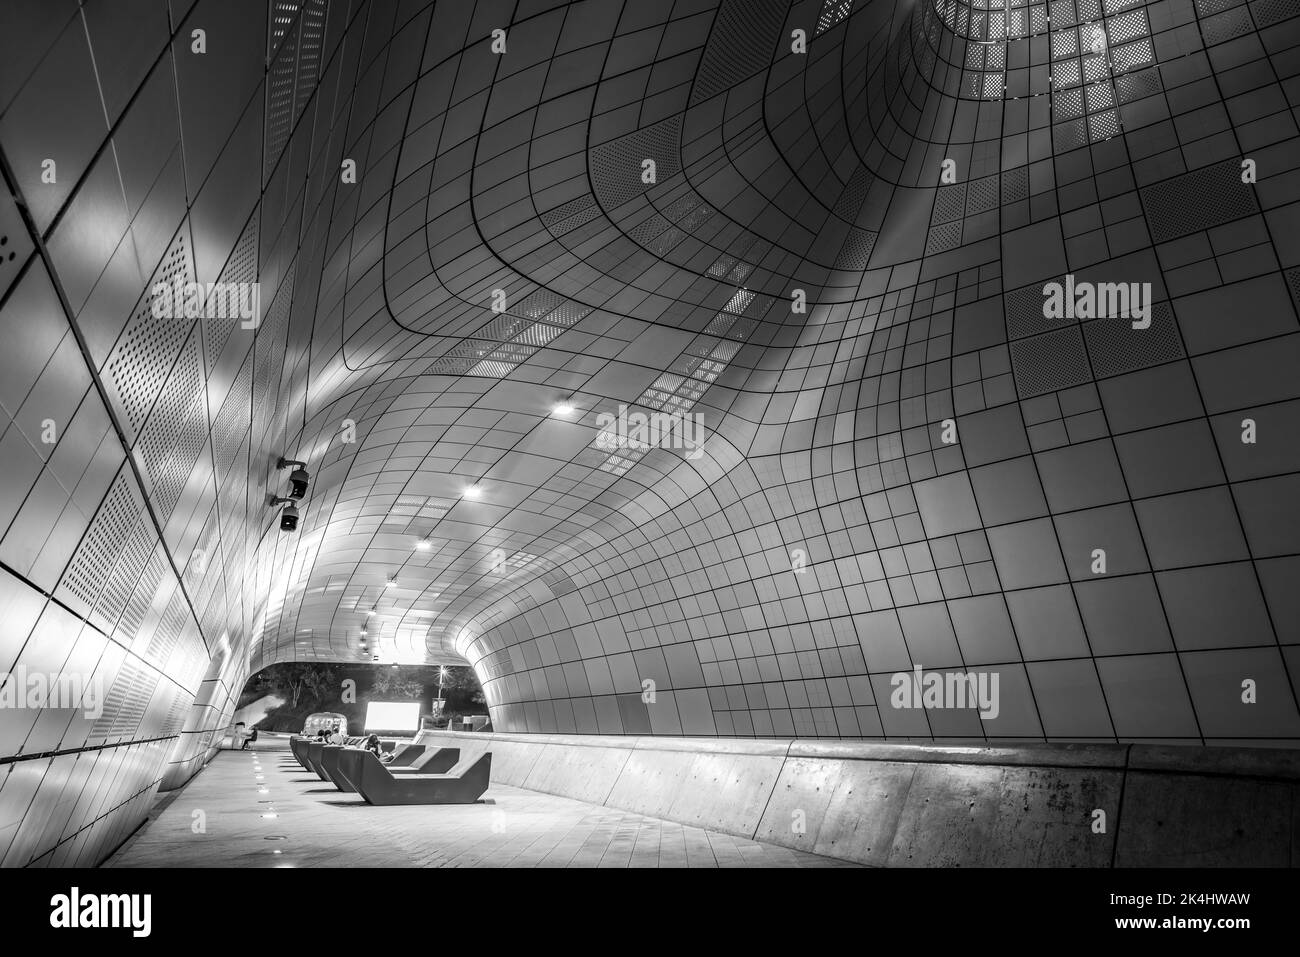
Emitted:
pixel 931 806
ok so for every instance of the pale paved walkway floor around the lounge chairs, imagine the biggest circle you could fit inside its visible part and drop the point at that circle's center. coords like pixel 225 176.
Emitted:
pixel 220 820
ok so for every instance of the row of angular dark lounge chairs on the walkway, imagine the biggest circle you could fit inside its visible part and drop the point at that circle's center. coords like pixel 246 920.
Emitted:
pixel 417 776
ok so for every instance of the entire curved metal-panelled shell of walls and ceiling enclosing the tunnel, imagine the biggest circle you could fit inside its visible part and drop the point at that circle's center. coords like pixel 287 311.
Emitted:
pixel 827 536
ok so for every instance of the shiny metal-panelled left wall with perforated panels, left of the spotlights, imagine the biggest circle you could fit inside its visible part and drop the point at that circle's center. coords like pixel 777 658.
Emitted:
pixel 135 449
